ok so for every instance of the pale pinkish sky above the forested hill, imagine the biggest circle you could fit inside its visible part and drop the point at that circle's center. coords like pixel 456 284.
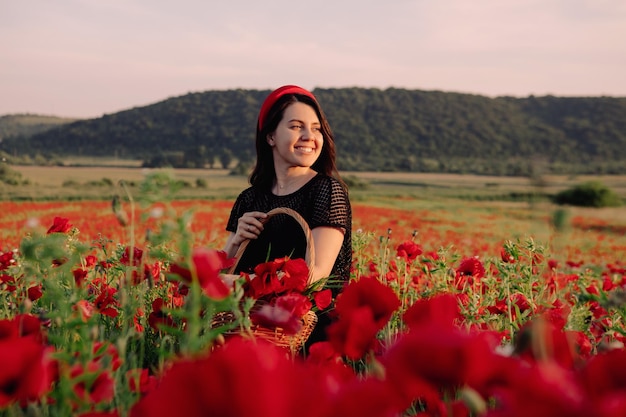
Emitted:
pixel 86 58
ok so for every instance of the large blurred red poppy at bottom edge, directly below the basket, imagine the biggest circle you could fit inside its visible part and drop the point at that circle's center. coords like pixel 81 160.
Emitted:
pixel 241 378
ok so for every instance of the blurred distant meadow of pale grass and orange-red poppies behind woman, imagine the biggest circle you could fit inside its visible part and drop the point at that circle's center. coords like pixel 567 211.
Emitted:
pixel 475 213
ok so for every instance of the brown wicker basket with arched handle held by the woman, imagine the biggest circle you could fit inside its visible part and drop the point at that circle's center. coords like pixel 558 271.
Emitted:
pixel 276 335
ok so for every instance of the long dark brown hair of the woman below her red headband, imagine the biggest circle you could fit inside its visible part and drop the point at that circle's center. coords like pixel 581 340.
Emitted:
pixel 263 174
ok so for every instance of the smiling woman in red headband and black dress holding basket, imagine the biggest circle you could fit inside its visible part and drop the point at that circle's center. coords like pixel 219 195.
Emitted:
pixel 295 168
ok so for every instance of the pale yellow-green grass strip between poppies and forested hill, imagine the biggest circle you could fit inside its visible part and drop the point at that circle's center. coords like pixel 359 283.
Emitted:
pixel 85 182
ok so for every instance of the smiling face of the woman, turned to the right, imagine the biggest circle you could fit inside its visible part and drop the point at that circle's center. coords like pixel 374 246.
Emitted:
pixel 297 140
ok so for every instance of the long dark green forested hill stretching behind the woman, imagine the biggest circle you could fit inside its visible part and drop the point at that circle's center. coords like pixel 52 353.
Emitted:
pixel 391 130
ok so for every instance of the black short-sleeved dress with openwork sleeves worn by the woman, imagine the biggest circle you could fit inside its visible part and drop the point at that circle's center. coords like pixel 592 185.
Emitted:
pixel 321 202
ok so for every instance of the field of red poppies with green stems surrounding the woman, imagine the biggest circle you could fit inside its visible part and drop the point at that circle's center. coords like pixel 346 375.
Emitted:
pixel 108 309
